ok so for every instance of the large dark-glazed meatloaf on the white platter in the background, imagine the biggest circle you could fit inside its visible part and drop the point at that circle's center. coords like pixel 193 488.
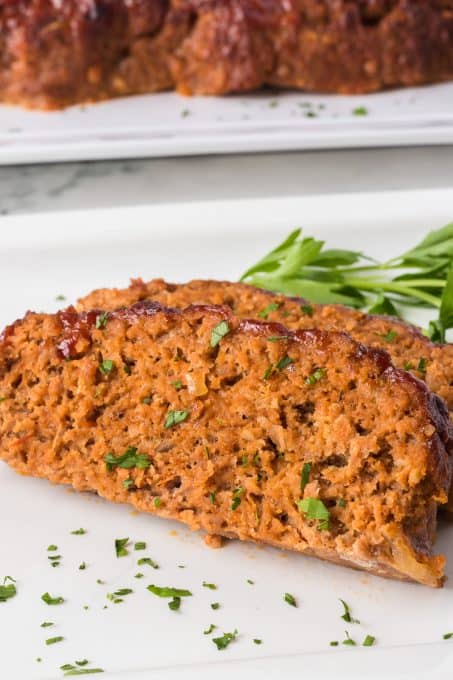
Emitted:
pixel 54 53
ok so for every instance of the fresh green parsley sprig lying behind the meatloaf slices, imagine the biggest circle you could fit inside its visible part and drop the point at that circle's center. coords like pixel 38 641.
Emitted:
pixel 422 276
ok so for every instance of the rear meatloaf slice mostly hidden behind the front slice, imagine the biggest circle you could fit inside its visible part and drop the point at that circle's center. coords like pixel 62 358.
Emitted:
pixel 408 348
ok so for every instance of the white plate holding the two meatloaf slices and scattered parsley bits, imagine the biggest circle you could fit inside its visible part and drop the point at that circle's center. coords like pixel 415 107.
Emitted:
pixel 46 255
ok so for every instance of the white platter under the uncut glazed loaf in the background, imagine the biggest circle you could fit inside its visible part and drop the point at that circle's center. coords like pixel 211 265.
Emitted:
pixel 168 125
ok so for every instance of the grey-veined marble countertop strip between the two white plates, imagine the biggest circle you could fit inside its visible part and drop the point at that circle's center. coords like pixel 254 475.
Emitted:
pixel 37 188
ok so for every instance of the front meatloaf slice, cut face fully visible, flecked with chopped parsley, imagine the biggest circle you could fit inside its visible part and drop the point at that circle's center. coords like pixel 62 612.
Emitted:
pixel 304 440
